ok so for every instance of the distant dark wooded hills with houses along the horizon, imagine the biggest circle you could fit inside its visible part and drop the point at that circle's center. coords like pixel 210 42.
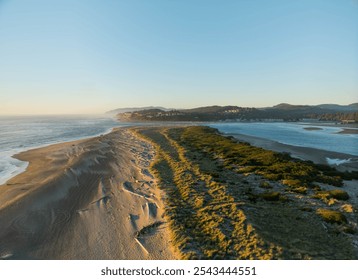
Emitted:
pixel 283 112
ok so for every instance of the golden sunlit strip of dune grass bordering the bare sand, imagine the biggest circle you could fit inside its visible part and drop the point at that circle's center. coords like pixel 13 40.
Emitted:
pixel 204 217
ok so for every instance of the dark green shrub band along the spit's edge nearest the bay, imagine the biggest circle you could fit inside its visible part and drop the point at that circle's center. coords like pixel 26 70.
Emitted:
pixel 271 165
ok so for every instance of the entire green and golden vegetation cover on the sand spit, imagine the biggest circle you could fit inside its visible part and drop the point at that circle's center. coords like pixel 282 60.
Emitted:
pixel 229 200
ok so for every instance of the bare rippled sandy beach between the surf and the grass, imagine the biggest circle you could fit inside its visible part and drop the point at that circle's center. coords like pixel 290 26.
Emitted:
pixel 88 199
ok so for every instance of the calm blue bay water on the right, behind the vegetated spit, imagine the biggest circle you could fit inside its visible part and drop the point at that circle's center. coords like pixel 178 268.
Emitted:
pixel 295 134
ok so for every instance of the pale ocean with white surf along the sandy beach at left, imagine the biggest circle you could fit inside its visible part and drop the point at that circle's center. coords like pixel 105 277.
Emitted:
pixel 19 134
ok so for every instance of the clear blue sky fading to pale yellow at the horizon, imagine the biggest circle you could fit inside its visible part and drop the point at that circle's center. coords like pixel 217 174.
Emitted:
pixel 89 56
